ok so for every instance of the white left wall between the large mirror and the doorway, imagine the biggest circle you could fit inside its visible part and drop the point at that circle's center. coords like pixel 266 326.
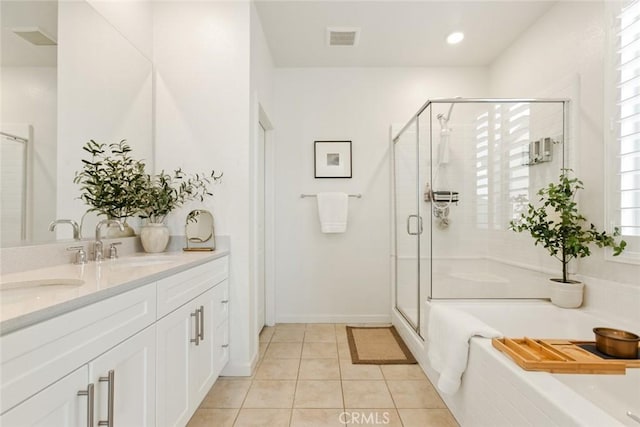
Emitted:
pixel 201 55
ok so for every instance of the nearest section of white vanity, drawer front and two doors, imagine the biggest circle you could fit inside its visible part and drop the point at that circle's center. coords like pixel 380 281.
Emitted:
pixel 89 342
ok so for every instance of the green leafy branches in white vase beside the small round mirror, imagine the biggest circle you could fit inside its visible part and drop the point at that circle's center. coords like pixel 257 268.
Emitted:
pixel 164 193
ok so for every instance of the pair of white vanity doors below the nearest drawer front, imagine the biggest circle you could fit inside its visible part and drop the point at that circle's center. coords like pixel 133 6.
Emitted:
pixel 117 388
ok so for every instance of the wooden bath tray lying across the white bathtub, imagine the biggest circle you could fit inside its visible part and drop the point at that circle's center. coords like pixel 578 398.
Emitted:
pixel 560 356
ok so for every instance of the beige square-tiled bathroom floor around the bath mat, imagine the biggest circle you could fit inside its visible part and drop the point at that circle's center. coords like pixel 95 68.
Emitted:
pixel 305 378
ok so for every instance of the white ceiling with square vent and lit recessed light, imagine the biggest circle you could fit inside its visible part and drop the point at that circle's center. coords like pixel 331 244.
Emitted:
pixel 395 33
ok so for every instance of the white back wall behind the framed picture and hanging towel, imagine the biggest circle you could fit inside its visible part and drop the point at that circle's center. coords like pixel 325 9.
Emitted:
pixel 344 277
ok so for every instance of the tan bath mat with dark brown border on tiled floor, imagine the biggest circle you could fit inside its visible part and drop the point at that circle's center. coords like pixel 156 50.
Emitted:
pixel 378 346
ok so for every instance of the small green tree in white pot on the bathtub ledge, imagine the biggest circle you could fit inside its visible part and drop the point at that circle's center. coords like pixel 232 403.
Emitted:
pixel 561 229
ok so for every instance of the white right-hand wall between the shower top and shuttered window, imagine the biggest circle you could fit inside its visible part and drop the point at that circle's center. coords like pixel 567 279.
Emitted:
pixel 568 44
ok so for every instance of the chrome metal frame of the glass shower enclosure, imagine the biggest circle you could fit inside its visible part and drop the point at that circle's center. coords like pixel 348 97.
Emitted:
pixel 394 140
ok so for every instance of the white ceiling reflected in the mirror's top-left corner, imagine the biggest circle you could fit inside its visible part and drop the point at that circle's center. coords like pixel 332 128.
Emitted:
pixel 18 52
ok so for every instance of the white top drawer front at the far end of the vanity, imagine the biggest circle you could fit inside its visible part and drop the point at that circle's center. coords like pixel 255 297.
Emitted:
pixel 181 288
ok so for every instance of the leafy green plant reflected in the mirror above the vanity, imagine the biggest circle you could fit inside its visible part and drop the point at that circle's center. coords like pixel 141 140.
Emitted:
pixel 111 181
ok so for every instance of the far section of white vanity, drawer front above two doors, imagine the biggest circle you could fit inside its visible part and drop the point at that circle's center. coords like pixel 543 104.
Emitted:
pixel 187 348
